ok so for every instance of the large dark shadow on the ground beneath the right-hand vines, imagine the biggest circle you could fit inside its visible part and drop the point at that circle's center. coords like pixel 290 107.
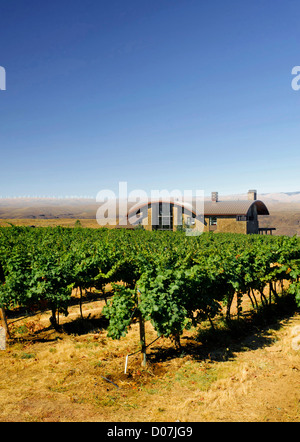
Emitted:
pixel 222 342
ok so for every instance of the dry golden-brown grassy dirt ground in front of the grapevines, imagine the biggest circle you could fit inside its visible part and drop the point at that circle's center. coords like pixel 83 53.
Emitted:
pixel 78 375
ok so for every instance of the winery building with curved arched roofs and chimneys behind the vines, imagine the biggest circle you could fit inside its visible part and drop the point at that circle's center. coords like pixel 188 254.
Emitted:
pixel 235 216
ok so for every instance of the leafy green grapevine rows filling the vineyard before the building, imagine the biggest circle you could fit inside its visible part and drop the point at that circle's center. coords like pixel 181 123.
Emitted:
pixel 172 280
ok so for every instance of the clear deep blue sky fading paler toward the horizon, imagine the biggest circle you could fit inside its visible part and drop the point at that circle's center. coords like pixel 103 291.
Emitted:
pixel 163 94
